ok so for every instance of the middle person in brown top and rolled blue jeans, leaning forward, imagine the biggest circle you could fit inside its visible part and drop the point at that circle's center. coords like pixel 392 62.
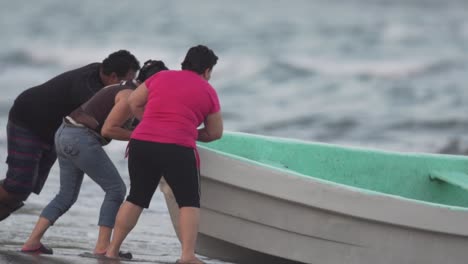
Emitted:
pixel 79 142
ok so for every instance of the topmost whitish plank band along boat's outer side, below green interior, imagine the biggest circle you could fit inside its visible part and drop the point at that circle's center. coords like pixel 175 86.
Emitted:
pixel 341 198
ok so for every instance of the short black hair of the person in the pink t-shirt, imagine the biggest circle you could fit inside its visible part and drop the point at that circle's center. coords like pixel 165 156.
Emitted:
pixel 198 59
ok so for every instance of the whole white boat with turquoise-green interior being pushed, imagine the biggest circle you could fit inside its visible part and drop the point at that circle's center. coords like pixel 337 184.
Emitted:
pixel 277 200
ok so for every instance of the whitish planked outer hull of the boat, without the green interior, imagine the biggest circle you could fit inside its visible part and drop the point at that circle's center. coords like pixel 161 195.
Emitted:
pixel 314 221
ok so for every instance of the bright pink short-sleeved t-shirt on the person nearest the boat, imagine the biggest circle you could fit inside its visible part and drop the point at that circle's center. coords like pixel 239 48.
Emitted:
pixel 178 102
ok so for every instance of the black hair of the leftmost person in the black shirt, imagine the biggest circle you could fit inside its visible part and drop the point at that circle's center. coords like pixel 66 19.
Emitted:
pixel 120 62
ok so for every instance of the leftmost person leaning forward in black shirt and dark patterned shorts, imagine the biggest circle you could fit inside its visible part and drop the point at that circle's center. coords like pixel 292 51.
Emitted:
pixel 36 115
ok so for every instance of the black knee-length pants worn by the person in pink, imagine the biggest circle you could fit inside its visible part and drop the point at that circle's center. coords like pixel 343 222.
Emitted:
pixel 149 161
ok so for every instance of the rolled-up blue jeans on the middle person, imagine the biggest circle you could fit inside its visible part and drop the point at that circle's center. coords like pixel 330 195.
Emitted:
pixel 79 151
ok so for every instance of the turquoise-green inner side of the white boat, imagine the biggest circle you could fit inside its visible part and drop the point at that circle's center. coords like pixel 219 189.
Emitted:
pixel 395 173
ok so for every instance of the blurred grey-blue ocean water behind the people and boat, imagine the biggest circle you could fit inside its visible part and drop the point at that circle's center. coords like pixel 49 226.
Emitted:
pixel 370 73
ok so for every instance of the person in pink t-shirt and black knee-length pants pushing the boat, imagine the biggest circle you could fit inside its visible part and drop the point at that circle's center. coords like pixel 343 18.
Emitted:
pixel 171 106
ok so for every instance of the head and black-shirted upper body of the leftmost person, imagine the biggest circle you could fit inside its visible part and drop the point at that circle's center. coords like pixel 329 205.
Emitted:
pixel 42 108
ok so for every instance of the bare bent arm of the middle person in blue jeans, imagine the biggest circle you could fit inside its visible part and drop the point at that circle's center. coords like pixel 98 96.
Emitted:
pixel 119 114
